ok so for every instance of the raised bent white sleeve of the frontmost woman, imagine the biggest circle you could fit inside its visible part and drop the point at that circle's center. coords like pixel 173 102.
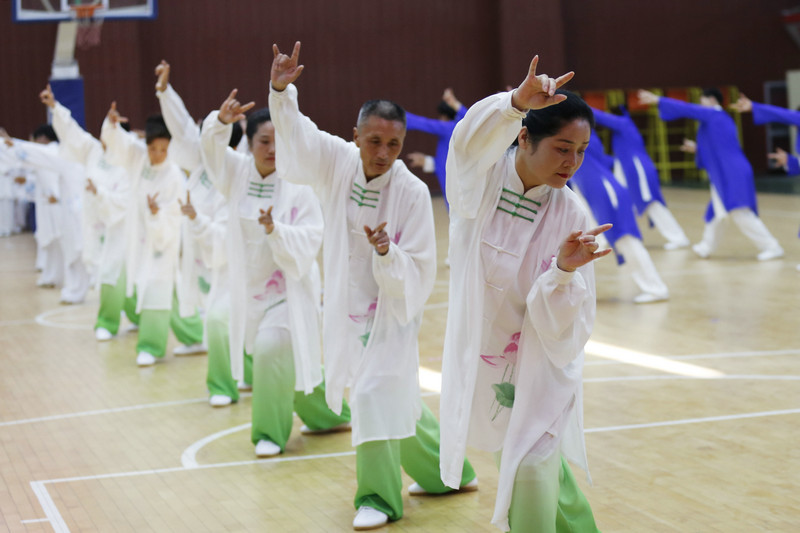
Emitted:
pixel 479 140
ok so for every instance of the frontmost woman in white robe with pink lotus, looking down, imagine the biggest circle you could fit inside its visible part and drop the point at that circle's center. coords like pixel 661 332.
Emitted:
pixel 522 301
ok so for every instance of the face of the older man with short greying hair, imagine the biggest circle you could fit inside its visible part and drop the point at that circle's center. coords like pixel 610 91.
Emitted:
pixel 380 142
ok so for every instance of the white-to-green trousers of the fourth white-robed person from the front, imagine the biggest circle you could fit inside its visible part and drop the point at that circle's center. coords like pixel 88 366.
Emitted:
pixel 219 378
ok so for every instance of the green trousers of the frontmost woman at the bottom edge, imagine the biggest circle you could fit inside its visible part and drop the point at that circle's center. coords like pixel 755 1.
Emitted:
pixel 547 499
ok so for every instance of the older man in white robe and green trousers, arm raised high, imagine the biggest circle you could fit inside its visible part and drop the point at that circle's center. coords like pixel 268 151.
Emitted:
pixel 380 265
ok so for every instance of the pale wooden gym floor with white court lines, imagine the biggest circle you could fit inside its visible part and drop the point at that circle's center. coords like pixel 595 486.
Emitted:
pixel 692 411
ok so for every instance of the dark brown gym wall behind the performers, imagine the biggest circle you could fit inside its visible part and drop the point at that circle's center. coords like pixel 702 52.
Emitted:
pixel 408 51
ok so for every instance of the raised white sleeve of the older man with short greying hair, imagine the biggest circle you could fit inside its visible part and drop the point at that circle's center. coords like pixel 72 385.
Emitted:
pixel 304 153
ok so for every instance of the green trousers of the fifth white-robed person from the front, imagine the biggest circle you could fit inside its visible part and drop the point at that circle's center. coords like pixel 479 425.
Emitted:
pixel 154 326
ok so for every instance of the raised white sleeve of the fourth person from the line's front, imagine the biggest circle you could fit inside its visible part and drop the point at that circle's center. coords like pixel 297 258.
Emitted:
pixel 184 148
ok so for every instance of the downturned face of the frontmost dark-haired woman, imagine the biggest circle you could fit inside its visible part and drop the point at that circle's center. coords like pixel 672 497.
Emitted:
pixel 553 160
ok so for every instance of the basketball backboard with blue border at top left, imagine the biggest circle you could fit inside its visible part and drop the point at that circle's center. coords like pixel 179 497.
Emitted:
pixel 62 10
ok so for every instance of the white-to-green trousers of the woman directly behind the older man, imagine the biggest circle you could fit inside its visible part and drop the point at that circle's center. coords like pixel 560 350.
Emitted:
pixel 274 395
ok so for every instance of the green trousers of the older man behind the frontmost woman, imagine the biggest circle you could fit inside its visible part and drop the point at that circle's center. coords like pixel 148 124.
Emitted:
pixel 378 466
